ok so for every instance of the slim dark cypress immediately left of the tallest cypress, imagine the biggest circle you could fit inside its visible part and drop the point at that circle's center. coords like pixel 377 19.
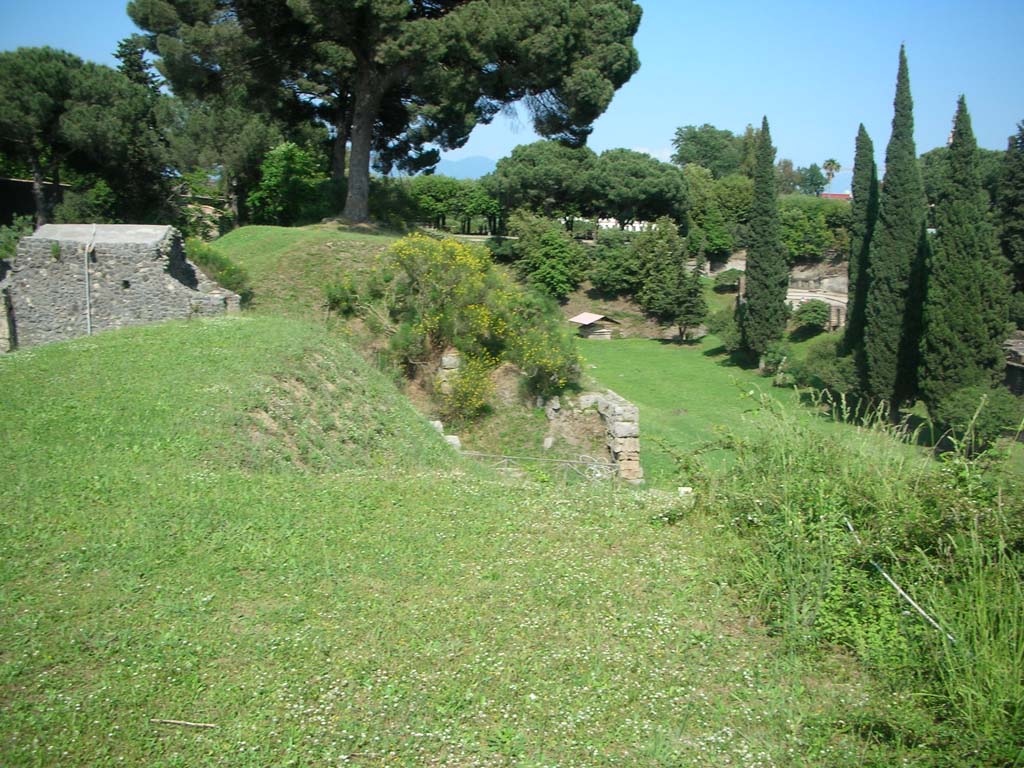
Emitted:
pixel 864 215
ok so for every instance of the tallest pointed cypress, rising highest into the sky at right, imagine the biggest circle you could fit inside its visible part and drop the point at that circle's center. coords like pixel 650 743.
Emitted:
pixel 892 313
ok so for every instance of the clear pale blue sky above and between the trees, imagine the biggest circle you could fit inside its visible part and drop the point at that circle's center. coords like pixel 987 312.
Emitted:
pixel 816 69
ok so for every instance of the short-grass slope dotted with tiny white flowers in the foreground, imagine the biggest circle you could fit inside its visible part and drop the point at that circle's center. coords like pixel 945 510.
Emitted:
pixel 169 554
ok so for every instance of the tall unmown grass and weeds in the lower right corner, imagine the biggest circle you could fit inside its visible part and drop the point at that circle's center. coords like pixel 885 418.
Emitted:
pixel 825 522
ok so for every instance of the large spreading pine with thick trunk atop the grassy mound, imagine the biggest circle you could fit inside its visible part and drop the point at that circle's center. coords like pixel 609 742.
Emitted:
pixel 398 79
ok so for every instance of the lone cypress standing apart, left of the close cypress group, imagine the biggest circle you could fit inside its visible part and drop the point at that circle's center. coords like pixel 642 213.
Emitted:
pixel 763 313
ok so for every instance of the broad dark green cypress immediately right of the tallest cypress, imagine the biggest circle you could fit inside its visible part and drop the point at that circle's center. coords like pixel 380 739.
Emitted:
pixel 967 303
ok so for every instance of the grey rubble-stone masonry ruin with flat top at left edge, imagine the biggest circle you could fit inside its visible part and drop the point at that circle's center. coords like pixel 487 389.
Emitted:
pixel 75 280
